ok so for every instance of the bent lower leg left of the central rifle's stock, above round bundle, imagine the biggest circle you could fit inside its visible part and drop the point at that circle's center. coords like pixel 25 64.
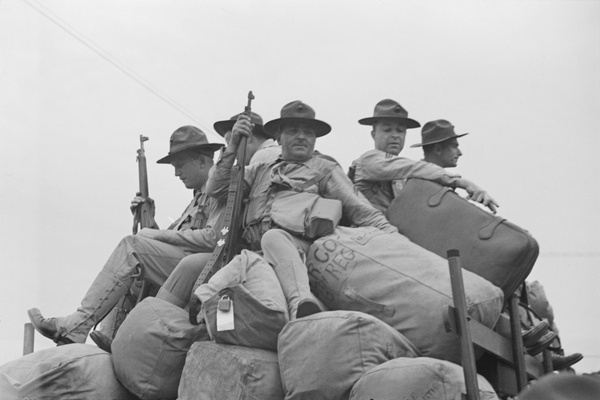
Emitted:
pixel 177 289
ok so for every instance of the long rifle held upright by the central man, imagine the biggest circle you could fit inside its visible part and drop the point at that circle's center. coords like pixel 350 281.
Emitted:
pixel 227 246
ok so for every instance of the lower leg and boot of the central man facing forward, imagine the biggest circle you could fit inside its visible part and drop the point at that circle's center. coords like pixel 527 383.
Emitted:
pixel 293 278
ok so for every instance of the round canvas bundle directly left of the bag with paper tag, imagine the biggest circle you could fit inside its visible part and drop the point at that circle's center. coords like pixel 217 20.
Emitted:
pixel 150 347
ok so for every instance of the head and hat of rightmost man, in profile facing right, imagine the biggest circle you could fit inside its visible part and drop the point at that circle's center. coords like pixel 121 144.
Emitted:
pixel 440 143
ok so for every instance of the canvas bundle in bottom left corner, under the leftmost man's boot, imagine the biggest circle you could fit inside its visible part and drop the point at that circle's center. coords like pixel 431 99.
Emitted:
pixel 73 372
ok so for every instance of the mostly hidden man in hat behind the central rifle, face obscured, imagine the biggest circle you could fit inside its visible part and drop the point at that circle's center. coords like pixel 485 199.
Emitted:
pixel 260 147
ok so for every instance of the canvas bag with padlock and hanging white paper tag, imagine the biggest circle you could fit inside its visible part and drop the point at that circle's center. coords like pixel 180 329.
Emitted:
pixel 257 303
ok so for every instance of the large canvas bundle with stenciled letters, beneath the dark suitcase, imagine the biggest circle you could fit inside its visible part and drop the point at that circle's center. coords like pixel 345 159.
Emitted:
pixel 393 279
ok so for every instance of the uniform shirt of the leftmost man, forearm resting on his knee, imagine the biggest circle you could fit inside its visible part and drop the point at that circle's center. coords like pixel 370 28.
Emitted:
pixel 195 230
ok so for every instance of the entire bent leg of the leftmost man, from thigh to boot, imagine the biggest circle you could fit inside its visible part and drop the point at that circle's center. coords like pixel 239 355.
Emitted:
pixel 112 283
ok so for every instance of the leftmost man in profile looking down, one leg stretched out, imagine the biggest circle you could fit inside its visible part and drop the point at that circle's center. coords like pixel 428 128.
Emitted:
pixel 154 252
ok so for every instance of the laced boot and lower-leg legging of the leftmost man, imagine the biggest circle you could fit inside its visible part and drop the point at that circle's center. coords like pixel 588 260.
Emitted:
pixel 101 297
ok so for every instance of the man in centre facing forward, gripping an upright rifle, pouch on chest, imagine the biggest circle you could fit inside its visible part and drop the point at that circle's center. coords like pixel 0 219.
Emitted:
pixel 297 170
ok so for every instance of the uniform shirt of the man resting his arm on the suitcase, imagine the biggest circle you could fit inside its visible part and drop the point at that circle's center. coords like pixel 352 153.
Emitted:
pixel 379 176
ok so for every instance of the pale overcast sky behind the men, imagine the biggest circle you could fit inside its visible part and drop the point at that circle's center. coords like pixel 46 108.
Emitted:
pixel 80 81
